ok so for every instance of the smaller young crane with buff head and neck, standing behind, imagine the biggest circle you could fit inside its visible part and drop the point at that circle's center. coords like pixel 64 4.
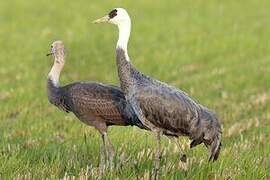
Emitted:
pixel 95 104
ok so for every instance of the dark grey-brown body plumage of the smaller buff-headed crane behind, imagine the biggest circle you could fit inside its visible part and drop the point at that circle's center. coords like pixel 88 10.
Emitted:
pixel 89 101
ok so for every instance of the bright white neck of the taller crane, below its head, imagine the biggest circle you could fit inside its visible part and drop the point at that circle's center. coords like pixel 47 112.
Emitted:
pixel 124 33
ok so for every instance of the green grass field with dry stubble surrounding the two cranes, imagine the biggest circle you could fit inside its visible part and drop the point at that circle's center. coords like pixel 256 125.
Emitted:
pixel 217 51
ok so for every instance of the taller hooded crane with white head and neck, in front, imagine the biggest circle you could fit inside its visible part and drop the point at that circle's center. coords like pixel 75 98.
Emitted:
pixel 160 107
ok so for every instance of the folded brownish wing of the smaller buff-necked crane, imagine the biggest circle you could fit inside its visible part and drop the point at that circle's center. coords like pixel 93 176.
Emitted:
pixel 95 99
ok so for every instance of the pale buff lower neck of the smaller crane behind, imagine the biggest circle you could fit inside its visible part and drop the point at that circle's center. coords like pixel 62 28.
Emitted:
pixel 55 72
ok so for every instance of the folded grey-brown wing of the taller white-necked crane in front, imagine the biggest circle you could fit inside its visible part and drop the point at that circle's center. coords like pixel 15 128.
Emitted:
pixel 167 108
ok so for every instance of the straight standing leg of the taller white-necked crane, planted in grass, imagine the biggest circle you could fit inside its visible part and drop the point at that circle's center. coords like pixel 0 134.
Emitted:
pixel 157 156
